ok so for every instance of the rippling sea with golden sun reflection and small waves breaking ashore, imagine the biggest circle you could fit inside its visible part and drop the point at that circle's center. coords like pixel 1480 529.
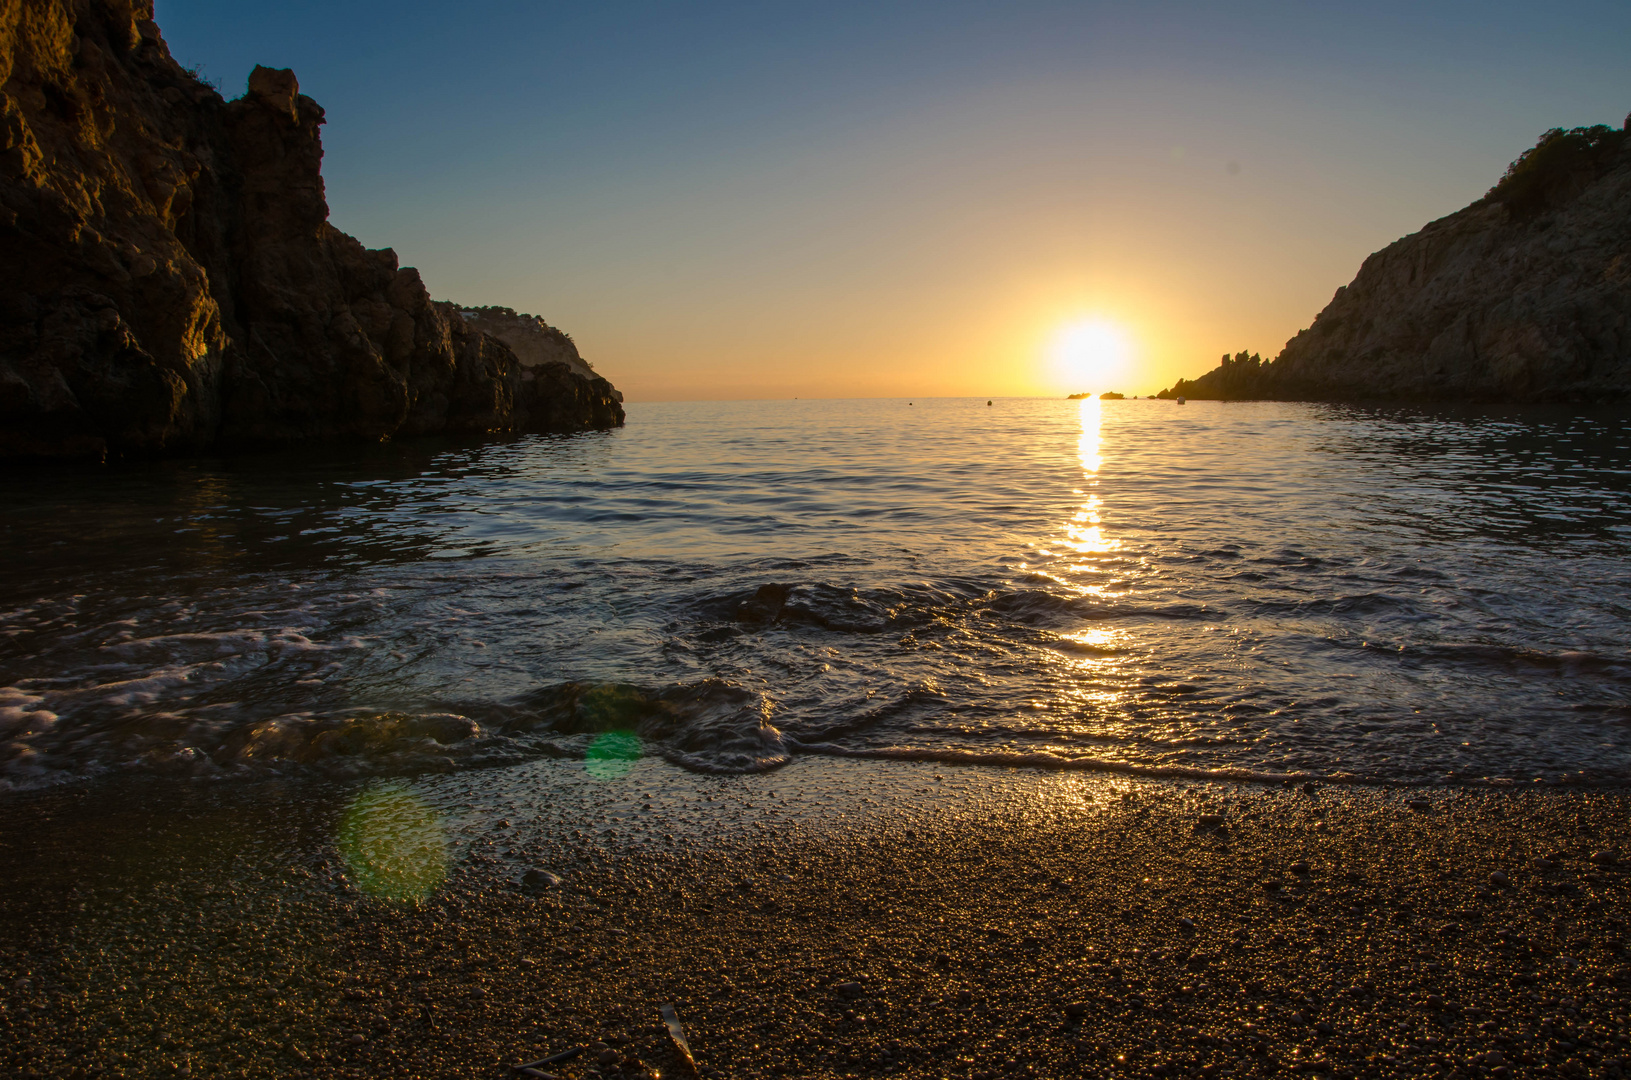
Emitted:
pixel 1384 595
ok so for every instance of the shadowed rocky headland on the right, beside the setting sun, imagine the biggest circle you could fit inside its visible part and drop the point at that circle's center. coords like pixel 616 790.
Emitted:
pixel 1526 296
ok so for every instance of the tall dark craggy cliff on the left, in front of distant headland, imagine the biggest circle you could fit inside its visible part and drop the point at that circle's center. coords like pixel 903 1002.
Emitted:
pixel 169 278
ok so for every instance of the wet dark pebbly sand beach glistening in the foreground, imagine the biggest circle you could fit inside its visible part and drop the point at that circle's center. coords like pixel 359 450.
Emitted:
pixel 834 919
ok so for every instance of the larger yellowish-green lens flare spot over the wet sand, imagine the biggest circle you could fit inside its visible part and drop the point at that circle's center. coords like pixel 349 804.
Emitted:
pixel 394 844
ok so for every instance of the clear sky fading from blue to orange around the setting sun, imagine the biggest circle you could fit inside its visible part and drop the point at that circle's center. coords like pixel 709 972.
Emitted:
pixel 913 200
